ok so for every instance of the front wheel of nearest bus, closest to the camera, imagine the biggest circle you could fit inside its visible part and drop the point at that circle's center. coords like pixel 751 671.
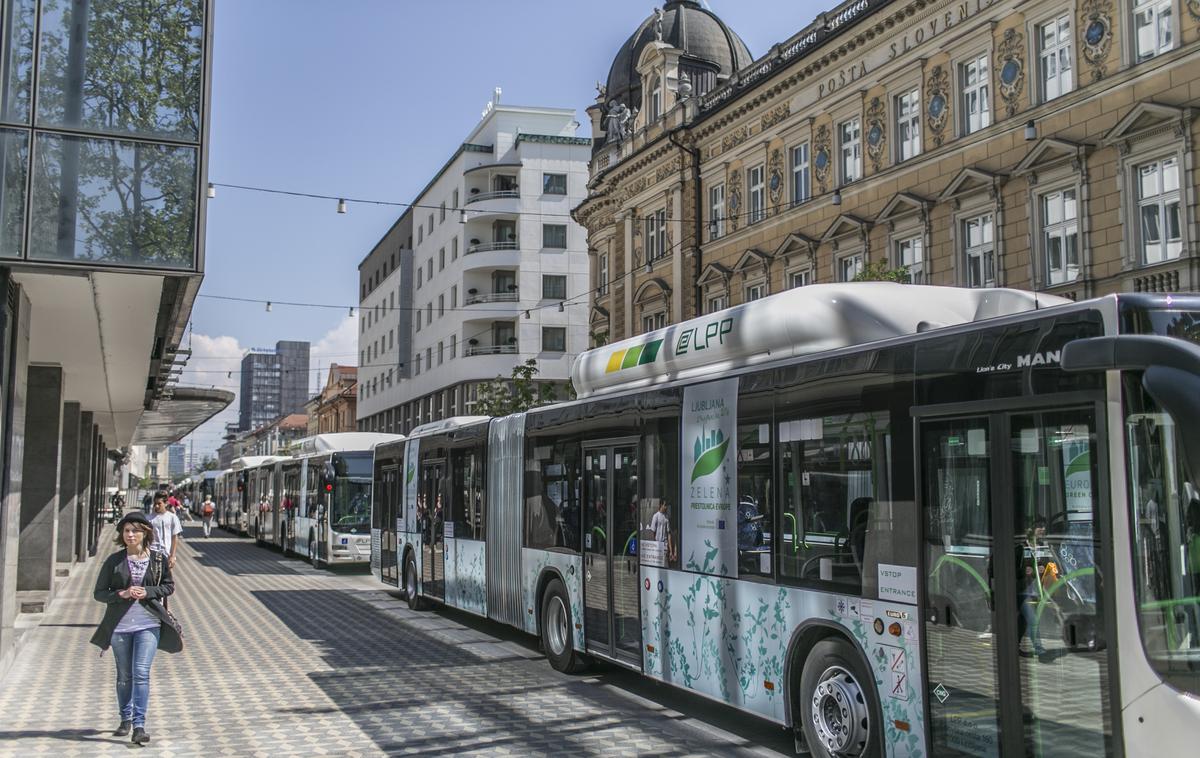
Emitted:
pixel 839 707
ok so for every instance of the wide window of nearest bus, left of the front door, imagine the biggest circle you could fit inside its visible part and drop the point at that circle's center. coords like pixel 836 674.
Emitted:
pixel 836 490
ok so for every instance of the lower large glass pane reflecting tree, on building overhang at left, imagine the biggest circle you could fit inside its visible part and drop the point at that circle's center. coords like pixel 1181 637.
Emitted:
pixel 115 202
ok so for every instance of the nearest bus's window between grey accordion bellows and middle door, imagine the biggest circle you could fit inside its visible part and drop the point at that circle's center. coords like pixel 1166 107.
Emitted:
pixel 553 494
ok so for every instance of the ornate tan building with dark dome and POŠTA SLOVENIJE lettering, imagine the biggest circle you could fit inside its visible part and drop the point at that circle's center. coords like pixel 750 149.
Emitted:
pixel 1037 145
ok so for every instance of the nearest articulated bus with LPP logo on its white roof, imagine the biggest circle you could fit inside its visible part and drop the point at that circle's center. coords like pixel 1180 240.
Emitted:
pixel 904 521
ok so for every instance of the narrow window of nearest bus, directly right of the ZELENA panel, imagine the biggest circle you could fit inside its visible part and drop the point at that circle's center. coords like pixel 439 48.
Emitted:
pixel 755 514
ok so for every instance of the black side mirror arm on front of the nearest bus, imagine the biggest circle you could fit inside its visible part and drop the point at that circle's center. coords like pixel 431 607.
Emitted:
pixel 1171 375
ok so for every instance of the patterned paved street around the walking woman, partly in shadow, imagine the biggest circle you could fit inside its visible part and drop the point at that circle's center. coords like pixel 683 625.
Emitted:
pixel 285 660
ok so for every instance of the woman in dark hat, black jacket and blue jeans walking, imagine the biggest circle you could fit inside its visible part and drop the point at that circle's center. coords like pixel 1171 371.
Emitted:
pixel 133 583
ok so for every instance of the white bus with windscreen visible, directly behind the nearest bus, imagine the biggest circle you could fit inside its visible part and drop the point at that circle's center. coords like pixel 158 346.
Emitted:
pixel 316 503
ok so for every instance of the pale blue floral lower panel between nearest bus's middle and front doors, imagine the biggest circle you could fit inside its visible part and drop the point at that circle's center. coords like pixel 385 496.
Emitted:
pixel 729 640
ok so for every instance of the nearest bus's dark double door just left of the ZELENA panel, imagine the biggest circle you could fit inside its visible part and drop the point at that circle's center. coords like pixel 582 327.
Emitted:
pixel 611 624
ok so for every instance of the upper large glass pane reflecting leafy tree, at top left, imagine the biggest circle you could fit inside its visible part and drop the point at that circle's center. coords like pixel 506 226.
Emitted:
pixel 130 68
